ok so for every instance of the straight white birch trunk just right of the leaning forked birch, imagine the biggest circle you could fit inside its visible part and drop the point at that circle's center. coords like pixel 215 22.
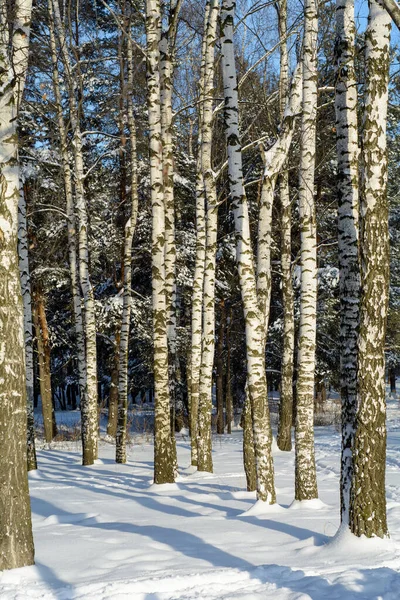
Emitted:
pixel 305 472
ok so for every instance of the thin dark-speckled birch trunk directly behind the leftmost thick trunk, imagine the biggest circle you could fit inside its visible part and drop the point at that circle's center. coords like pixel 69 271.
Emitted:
pixel 28 336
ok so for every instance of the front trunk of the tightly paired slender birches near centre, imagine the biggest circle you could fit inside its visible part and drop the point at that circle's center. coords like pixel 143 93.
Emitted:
pixel 204 441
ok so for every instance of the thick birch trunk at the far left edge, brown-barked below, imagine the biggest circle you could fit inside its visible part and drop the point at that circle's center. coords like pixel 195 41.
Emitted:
pixel 16 542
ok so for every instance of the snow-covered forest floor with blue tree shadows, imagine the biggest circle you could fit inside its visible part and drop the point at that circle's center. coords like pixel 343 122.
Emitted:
pixel 105 533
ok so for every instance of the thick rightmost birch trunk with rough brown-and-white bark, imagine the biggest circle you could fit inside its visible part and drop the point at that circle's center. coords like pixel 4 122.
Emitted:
pixel 367 494
